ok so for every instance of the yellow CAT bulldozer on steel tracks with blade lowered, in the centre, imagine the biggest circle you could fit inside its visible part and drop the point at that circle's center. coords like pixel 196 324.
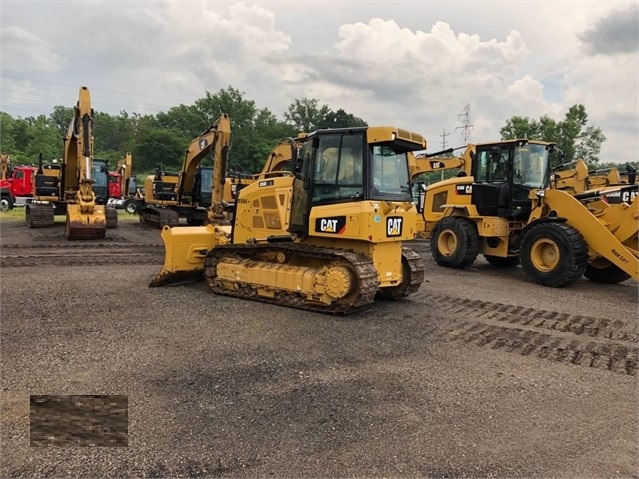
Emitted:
pixel 328 236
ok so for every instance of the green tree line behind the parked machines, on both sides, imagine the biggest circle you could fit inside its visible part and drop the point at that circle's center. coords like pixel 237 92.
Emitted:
pixel 163 137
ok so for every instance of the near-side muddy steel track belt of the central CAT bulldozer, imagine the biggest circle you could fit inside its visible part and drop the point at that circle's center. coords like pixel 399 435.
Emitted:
pixel 296 256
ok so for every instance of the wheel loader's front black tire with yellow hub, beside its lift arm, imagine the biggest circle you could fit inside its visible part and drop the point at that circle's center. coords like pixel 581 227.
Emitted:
pixel 553 254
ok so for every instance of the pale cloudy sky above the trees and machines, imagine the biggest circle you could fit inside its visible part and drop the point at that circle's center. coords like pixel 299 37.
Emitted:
pixel 412 64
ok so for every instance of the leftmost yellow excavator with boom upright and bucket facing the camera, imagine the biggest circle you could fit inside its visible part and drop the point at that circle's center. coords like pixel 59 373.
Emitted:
pixel 68 188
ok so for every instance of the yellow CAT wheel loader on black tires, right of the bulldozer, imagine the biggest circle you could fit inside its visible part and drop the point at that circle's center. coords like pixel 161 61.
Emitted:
pixel 508 211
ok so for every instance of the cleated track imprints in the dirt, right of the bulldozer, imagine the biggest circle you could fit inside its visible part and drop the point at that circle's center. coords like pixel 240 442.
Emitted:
pixel 565 338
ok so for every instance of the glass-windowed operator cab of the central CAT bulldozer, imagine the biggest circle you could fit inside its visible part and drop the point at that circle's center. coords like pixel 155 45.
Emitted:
pixel 341 166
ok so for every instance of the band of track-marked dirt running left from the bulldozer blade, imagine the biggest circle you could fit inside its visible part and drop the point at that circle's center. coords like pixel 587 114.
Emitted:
pixel 79 254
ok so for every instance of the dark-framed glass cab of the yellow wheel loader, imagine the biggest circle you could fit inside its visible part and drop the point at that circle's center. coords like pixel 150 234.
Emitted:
pixel 505 173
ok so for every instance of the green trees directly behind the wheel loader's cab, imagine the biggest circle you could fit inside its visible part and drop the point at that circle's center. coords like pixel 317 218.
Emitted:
pixel 574 137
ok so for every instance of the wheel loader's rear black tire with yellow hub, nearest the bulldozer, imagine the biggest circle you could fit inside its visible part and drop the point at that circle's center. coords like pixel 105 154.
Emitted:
pixel 455 242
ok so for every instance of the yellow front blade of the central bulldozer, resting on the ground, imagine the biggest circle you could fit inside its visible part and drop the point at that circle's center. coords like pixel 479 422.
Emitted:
pixel 185 248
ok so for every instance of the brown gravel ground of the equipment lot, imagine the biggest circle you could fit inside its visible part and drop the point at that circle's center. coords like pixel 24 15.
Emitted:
pixel 219 387
